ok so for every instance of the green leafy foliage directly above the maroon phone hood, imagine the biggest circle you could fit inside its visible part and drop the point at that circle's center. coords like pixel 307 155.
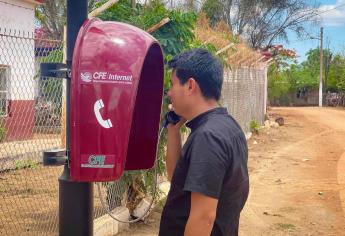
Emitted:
pixel 174 37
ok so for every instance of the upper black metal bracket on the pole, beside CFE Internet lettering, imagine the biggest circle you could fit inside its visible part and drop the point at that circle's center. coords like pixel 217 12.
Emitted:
pixel 56 70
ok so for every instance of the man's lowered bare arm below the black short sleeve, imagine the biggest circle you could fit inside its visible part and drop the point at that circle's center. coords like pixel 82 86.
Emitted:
pixel 202 215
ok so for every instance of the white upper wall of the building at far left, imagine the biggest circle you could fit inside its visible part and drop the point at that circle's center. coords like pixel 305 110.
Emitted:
pixel 17 47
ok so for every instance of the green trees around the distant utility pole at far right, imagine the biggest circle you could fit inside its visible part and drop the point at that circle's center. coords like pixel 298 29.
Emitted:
pixel 292 77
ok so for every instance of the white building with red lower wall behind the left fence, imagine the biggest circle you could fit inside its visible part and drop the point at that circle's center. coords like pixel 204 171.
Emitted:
pixel 17 69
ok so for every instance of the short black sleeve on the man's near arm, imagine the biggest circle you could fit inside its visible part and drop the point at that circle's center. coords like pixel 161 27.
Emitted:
pixel 208 162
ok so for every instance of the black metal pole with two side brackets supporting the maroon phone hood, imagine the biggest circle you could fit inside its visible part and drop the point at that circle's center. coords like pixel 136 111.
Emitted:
pixel 75 198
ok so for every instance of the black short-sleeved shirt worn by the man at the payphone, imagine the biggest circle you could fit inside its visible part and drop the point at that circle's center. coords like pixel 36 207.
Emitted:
pixel 214 163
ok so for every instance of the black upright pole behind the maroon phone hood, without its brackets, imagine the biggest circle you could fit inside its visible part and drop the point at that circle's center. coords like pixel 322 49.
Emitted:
pixel 75 199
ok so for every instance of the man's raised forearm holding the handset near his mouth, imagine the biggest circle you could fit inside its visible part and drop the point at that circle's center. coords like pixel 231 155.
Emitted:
pixel 174 146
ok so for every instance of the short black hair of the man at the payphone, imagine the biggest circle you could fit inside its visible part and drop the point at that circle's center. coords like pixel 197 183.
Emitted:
pixel 203 67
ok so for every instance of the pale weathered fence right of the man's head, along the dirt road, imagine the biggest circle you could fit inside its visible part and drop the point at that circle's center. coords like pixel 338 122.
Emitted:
pixel 244 92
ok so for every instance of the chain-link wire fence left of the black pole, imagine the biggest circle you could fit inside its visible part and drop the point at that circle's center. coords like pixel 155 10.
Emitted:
pixel 29 124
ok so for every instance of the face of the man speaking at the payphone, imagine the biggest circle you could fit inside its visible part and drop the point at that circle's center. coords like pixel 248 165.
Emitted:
pixel 177 95
